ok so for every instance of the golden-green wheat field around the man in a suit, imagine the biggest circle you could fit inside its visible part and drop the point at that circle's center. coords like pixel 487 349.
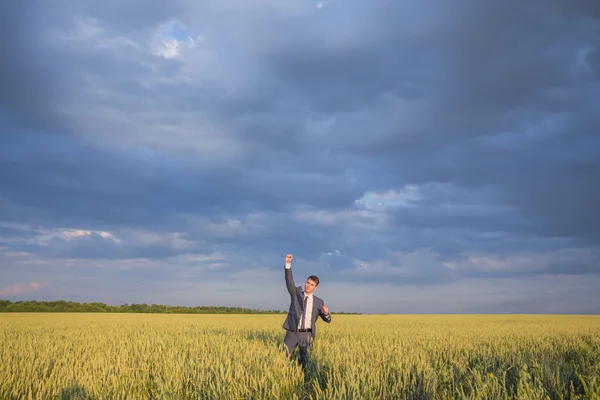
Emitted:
pixel 144 356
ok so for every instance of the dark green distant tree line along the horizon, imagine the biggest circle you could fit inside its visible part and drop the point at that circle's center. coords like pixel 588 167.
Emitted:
pixel 73 306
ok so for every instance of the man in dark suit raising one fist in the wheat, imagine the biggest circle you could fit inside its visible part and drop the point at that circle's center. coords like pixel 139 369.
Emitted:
pixel 300 324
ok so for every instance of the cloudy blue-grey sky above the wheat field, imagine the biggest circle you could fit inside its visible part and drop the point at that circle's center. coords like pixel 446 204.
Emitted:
pixel 416 156
